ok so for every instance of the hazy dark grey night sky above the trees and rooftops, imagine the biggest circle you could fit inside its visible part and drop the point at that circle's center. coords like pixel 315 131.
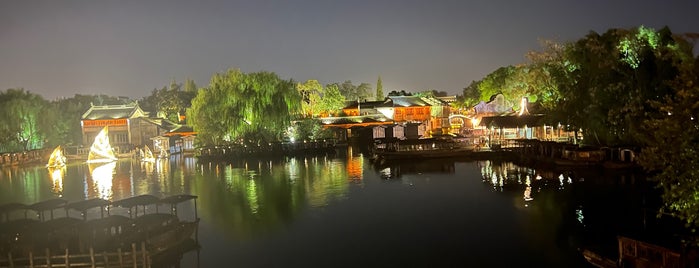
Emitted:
pixel 127 48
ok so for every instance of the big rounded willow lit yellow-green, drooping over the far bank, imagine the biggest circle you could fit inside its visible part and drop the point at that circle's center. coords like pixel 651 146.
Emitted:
pixel 244 108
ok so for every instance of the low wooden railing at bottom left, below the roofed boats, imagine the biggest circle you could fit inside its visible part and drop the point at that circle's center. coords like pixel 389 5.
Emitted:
pixel 134 258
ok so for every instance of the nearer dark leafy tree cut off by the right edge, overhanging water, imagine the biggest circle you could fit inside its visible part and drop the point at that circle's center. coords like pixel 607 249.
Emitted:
pixel 671 136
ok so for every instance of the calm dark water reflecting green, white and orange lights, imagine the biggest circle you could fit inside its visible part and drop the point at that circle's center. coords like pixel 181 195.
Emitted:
pixel 344 211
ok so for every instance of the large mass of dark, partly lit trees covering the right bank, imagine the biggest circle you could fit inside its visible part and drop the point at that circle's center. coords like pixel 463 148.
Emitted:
pixel 633 87
